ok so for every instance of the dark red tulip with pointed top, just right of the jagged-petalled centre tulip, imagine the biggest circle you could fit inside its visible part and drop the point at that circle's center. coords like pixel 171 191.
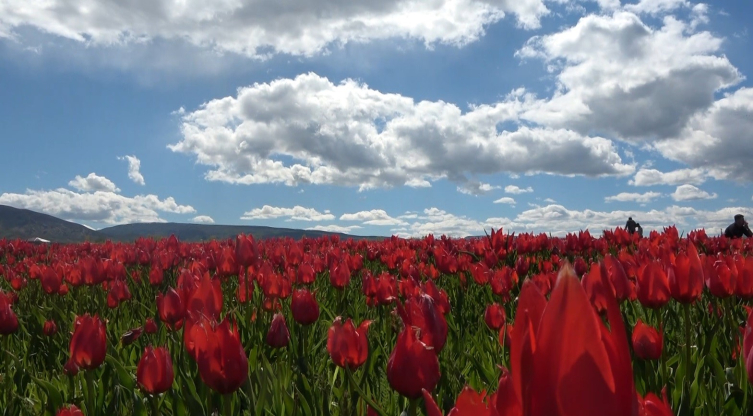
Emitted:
pixel 412 366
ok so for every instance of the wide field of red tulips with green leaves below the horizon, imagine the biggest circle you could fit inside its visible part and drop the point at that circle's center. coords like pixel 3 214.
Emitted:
pixel 497 325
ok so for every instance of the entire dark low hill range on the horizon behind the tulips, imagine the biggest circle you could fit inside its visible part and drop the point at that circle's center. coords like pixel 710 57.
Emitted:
pixel 26 224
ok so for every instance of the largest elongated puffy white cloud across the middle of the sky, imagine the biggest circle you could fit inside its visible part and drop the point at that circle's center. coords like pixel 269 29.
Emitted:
pixel 331 134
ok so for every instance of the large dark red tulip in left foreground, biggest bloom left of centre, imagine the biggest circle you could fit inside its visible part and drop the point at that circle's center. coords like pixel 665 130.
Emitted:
pixel 223 365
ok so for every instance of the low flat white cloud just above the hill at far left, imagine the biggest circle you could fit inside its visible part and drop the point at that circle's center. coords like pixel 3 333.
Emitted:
pixel 99 206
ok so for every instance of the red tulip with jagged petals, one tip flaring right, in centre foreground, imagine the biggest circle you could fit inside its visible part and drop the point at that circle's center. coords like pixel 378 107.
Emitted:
pixel 346 344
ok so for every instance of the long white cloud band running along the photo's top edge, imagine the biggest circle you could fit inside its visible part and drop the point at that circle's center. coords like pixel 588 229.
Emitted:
pixel 257 28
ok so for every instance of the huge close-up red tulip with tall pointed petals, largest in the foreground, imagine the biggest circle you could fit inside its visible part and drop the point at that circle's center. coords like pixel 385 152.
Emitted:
pixel 591 373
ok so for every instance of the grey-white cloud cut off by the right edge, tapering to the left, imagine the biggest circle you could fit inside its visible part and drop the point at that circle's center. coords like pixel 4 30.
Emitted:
pixel 720 138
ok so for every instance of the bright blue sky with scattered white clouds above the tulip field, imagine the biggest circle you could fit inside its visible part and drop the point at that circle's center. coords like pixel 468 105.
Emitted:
pixel 387 117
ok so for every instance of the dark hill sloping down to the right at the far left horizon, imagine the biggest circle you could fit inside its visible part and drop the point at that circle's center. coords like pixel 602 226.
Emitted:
pixel 25 224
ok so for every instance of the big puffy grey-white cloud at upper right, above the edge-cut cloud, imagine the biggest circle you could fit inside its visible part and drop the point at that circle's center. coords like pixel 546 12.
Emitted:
pixel 616 75
